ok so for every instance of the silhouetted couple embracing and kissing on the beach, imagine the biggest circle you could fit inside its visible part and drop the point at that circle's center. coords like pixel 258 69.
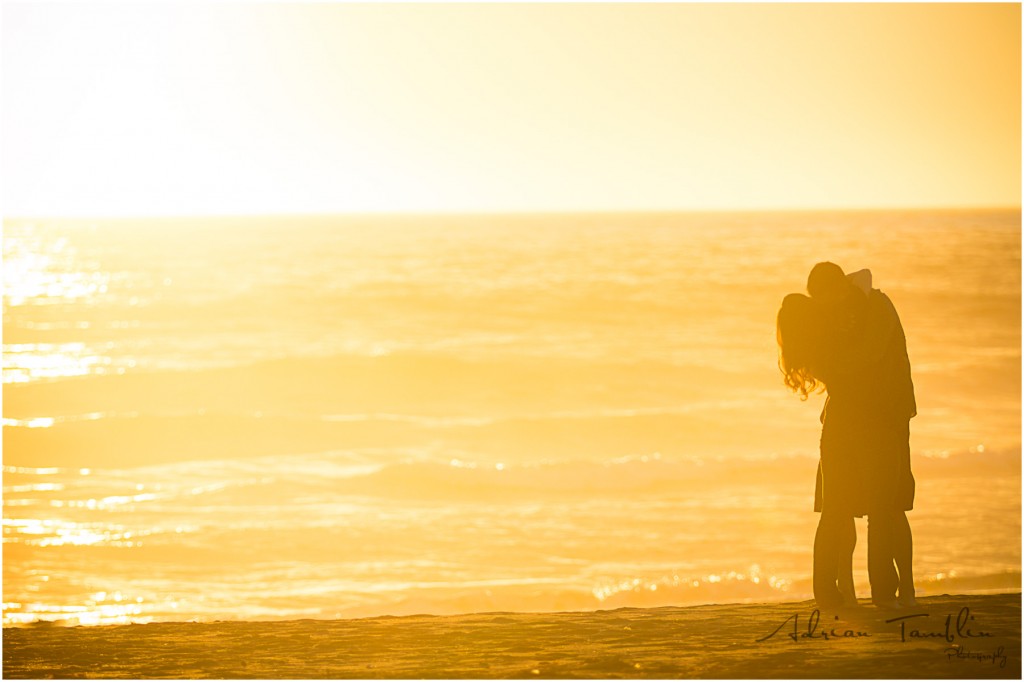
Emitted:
pixel 846 337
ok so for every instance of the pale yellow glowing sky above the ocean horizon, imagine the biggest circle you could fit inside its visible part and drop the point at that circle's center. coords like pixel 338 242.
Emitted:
pixel 254 108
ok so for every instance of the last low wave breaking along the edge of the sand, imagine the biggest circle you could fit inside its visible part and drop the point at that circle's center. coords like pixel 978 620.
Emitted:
pixel 333 599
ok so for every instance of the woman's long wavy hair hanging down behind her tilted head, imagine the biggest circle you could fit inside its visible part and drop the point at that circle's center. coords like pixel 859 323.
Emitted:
pixel 798 330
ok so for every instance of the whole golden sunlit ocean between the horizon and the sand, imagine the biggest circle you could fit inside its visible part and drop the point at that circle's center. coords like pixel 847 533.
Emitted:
pixel 321 417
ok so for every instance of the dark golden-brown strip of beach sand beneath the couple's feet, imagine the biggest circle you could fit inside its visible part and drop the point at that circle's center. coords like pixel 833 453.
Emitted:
pixel 714 642
